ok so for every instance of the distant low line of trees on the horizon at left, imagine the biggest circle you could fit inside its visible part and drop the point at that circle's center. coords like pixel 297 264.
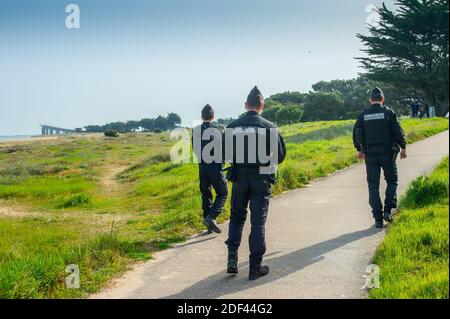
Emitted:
pixel 158 124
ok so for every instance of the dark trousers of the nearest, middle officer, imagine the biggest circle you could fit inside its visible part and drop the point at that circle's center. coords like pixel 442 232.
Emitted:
pixel 253 191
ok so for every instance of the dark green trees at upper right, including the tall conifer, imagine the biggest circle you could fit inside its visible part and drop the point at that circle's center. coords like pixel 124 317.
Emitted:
pixel 407 56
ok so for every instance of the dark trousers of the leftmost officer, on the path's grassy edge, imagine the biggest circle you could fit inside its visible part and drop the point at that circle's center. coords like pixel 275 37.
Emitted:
pixel 212 177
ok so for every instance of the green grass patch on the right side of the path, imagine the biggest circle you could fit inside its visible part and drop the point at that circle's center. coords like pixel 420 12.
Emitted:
pixel 414 257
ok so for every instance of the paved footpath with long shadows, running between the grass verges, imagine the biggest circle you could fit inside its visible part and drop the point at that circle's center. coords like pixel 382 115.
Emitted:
pixel 320 241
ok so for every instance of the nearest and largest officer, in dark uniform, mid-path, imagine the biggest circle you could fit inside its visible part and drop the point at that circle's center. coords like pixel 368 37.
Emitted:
pixel 251 184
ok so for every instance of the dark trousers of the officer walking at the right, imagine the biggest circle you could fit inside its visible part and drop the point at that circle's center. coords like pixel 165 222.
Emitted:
pixel 374 164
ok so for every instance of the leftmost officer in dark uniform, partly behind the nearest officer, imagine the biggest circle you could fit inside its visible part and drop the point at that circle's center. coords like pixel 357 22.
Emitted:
pixel 211 170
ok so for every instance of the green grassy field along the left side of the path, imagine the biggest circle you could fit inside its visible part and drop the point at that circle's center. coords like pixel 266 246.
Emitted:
pixel 71 202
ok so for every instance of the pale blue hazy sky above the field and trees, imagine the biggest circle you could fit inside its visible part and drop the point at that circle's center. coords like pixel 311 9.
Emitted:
pixel 141 58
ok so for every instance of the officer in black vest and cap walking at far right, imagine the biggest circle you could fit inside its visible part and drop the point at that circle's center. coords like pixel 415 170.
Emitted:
pixel 378 137
